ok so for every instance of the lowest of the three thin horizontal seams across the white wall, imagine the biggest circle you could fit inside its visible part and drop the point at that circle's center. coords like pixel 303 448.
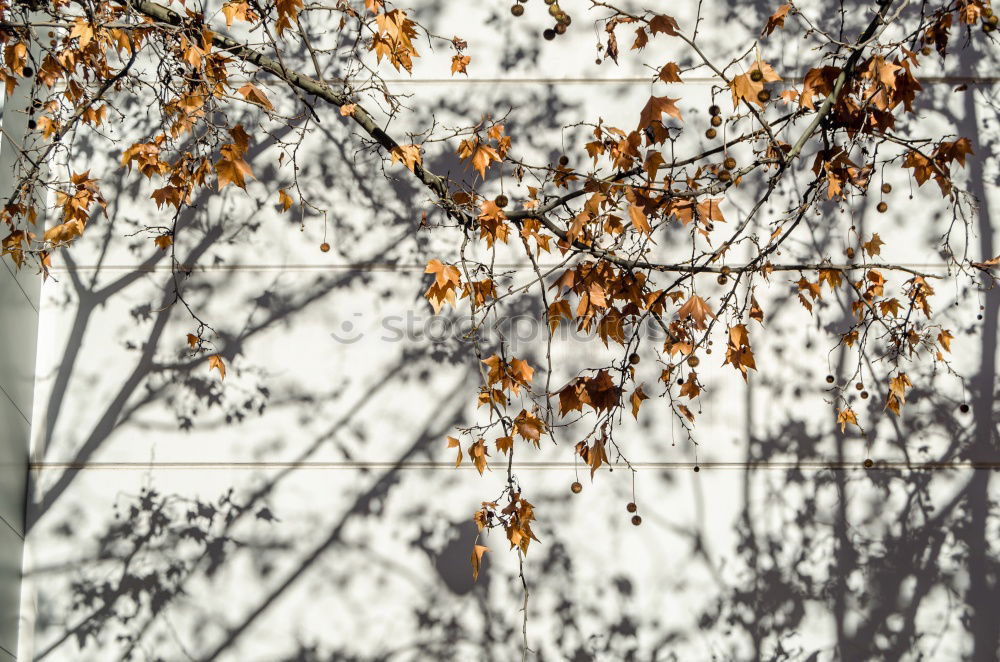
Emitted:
pixel 518 466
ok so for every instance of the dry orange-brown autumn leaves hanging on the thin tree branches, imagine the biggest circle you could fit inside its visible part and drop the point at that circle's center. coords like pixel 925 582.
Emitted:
pixel 605 221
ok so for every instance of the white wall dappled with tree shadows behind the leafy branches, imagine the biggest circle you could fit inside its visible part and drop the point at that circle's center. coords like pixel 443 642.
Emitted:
pixel 343 443
